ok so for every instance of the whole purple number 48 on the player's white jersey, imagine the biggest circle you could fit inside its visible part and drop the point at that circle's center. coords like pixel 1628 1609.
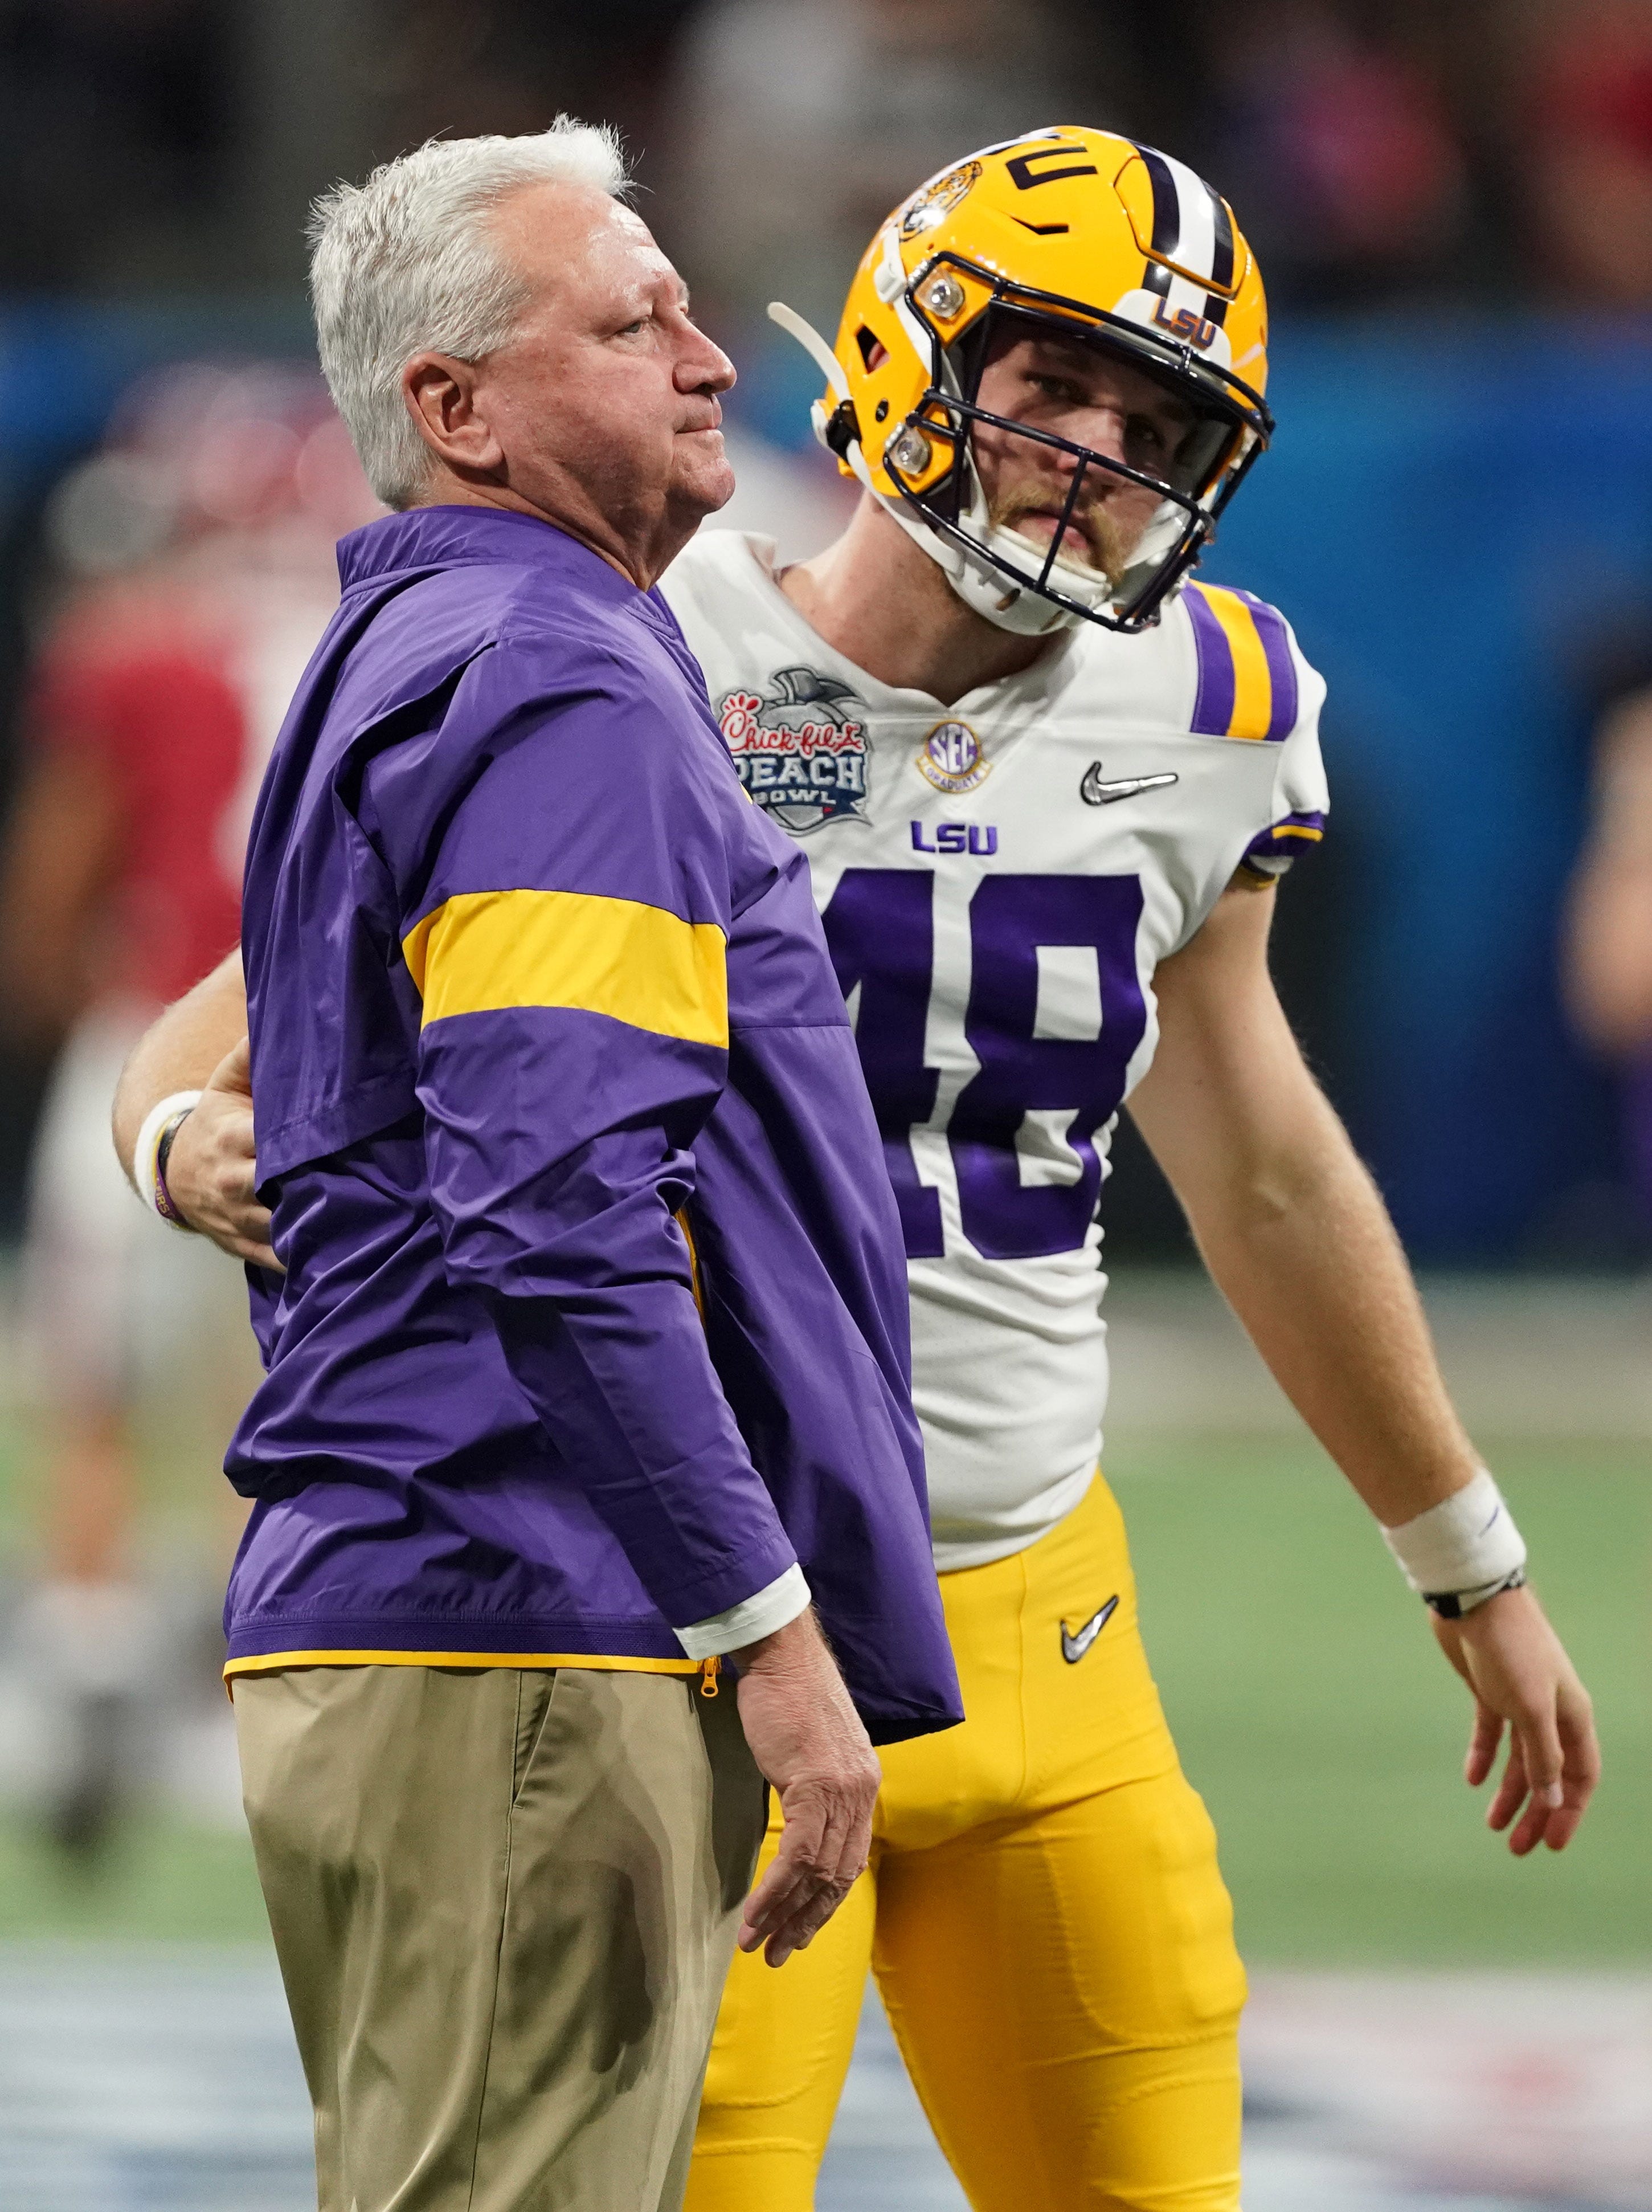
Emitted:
pixel 881 935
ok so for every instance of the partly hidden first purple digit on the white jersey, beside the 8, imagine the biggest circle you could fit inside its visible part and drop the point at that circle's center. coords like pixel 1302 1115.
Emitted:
pixel 883 937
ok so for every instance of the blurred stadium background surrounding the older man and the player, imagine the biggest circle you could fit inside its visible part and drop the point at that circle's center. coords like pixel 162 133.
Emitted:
pixel 1452 205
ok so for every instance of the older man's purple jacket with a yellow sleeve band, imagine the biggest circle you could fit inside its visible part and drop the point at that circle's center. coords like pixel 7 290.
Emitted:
pixel 596 1304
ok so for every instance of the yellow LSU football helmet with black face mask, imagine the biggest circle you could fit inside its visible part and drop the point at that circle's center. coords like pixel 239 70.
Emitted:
pixel 1063 233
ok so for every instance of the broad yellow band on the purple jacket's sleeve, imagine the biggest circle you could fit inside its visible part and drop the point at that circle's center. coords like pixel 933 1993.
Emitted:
pixel 640 966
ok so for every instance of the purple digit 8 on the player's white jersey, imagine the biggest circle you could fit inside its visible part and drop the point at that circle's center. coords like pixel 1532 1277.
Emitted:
pixel 1010 921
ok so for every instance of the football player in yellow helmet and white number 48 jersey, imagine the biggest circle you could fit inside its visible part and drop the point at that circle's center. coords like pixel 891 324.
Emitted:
pixel 1049 786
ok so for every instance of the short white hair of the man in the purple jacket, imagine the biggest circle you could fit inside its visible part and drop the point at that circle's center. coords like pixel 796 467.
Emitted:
pixel 404 267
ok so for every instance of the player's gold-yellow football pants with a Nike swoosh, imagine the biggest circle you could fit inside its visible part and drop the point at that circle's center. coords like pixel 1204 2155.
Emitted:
pixel 1047 1923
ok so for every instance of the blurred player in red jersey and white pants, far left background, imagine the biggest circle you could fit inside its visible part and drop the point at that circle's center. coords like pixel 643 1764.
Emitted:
pixel 196 561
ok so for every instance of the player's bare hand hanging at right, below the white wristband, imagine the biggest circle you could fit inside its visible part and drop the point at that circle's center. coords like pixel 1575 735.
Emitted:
pixel 1523 1680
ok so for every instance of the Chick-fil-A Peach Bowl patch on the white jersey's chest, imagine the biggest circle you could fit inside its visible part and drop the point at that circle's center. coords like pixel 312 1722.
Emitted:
pixel 799 749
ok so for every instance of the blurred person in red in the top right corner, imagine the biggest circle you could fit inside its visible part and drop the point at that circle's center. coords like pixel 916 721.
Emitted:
pixel 1589 147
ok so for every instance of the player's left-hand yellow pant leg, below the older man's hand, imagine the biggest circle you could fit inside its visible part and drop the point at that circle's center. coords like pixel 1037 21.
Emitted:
pixel 780 2056
